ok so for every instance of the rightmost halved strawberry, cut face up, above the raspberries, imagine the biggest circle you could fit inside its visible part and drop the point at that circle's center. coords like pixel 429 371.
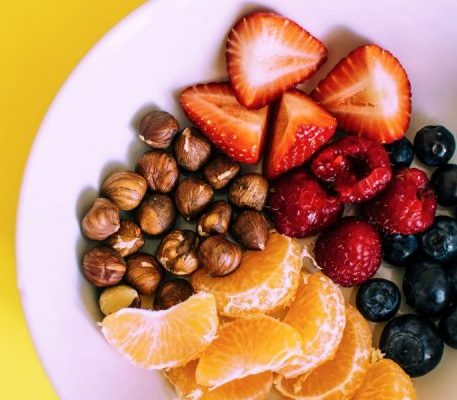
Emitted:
pixel 369 93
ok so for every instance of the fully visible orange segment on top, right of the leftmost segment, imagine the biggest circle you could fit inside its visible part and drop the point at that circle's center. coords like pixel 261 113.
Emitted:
pixel 247 346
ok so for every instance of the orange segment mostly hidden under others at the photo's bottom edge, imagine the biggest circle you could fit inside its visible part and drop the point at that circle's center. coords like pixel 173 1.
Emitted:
pixel 253 387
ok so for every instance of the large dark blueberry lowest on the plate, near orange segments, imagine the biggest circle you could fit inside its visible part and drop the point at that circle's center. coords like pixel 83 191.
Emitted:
pixel 412 342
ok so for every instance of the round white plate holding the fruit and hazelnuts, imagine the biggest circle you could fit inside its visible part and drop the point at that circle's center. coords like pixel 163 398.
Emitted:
pixel 90 130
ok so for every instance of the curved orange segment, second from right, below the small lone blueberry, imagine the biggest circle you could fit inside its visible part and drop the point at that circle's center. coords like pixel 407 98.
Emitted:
pixel 340 377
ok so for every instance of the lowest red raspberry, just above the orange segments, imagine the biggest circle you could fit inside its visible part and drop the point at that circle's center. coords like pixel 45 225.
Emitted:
pixel 349 254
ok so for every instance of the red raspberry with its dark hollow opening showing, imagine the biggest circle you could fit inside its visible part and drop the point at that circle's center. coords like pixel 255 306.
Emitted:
pixel 357 168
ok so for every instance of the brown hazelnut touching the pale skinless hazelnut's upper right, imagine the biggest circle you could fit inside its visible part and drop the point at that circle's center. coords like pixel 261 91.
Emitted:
pixel 143 273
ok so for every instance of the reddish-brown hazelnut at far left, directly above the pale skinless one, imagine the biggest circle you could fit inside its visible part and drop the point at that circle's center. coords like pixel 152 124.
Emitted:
pixel 103 266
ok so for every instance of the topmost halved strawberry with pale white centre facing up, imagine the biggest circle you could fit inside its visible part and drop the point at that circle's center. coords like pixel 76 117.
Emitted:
pixel 268 54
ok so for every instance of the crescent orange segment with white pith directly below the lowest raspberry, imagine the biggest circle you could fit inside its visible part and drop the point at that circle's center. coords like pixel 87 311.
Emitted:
pixel 318 313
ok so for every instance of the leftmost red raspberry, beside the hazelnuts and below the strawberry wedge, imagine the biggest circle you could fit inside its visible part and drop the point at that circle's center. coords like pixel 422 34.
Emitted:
pixel 301 207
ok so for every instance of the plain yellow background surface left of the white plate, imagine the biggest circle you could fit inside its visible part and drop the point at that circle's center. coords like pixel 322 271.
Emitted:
pixel 41 41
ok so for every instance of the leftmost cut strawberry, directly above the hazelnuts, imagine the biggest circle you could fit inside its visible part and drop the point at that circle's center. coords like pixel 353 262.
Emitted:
pixel 238 132
